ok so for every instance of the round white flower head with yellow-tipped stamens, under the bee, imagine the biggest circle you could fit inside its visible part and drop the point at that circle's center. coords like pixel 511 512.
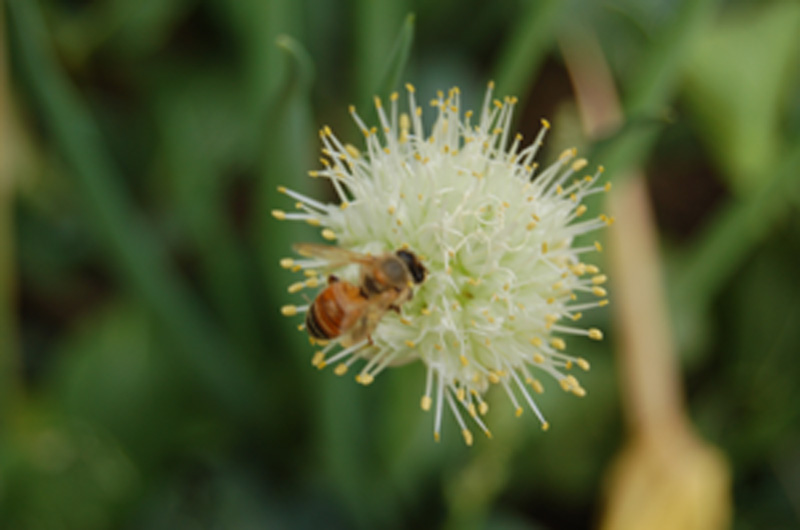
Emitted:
pixel 505 285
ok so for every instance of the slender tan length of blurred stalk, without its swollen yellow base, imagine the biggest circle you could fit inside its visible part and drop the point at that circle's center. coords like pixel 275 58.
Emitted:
pixel 650 378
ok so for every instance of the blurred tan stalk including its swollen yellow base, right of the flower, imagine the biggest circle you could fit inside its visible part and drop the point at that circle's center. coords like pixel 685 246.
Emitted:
pixel 665 477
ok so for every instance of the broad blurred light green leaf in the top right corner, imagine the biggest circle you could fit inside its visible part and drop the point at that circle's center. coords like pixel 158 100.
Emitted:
pixel 738 86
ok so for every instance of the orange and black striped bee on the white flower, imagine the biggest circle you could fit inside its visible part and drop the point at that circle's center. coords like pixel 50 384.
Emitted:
pixel 350 311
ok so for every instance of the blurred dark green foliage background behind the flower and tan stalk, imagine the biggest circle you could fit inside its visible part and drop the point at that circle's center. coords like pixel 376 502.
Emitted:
pixel 147 379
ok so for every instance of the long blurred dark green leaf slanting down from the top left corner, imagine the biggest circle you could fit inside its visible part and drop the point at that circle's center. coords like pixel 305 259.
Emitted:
pixel 135 253
